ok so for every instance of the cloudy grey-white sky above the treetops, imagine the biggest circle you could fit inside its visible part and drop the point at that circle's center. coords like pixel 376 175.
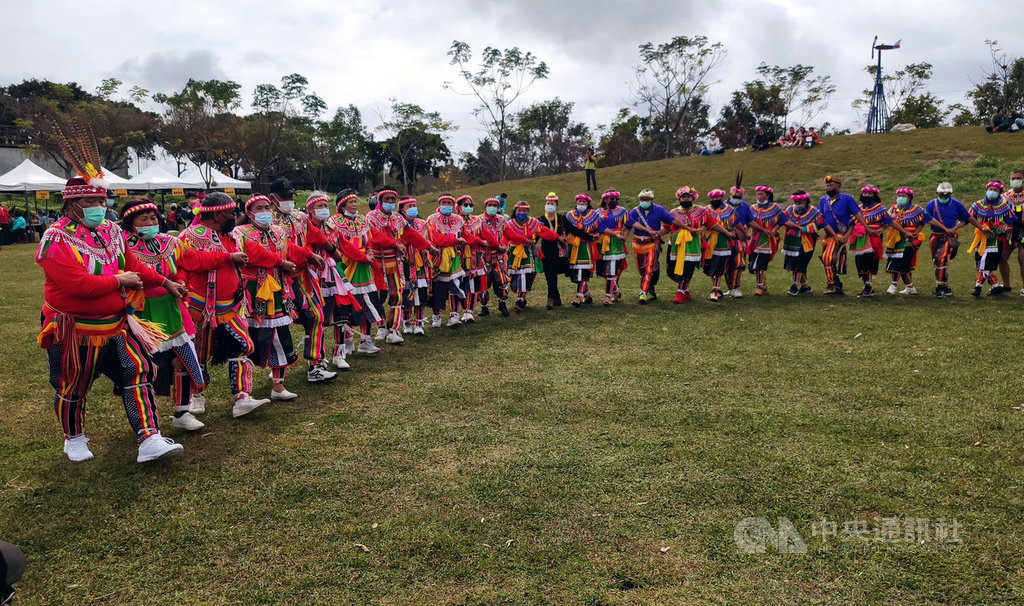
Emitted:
pixel 365 53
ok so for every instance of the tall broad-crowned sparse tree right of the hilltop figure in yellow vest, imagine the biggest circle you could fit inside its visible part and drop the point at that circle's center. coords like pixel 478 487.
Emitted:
pixel 671 83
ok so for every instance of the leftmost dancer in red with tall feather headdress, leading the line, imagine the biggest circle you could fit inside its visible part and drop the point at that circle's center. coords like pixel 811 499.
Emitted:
pixel 87 329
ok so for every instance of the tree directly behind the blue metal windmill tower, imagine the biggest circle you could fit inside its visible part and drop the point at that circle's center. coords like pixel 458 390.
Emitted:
pixel 907 98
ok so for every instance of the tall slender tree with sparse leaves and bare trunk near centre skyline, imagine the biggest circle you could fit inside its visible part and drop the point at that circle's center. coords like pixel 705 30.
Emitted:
pixel 498 82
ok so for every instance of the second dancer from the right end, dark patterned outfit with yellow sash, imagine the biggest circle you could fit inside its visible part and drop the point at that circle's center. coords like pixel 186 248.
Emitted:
pixel 997 219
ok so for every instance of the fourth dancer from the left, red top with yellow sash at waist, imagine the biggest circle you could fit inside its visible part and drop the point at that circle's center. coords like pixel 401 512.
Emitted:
pixel 271 305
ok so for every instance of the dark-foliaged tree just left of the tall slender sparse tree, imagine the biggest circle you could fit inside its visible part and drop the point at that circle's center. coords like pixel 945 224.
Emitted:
pixel 416 142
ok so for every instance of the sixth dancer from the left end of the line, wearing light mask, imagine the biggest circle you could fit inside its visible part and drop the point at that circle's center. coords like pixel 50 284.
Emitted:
pixel 334 288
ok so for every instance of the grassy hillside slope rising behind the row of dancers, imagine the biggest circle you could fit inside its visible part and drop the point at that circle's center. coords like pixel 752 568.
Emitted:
pixel 967 157
